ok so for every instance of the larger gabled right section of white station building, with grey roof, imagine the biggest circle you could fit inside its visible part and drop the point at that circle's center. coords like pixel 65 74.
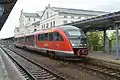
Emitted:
pixel 53 16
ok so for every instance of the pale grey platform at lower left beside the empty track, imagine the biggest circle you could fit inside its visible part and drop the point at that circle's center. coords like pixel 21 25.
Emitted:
pixel 8 70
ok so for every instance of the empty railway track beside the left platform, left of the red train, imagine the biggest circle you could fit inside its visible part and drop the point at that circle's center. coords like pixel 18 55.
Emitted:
pixel 32 70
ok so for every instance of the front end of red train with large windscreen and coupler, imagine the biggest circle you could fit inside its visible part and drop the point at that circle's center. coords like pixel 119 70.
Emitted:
pixel 78 42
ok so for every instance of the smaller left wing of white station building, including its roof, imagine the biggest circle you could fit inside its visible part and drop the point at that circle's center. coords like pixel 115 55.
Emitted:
pixel 28 22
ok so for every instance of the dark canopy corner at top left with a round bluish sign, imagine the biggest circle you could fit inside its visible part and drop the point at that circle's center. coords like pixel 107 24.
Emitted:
pixel 5 8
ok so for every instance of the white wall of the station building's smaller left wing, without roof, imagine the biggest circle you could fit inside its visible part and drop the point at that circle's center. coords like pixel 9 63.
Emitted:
pixel 25 23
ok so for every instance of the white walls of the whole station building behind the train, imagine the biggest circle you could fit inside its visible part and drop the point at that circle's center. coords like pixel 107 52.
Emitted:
pixel 51 18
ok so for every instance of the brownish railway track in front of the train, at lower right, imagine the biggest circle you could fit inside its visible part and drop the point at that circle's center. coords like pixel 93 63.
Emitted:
pixel 106 71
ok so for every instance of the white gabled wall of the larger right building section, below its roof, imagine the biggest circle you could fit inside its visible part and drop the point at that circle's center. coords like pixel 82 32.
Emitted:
pixel 50 17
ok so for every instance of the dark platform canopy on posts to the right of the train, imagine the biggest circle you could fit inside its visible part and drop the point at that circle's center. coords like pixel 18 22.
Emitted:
pixel 100 23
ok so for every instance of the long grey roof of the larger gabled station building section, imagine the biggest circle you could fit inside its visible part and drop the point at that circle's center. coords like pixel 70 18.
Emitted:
pixel 78 11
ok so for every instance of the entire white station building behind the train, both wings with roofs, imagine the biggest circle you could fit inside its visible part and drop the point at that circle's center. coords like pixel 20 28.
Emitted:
pixel 50 17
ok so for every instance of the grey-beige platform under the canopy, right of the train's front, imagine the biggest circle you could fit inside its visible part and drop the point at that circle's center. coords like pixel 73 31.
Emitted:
pixel 102 57
